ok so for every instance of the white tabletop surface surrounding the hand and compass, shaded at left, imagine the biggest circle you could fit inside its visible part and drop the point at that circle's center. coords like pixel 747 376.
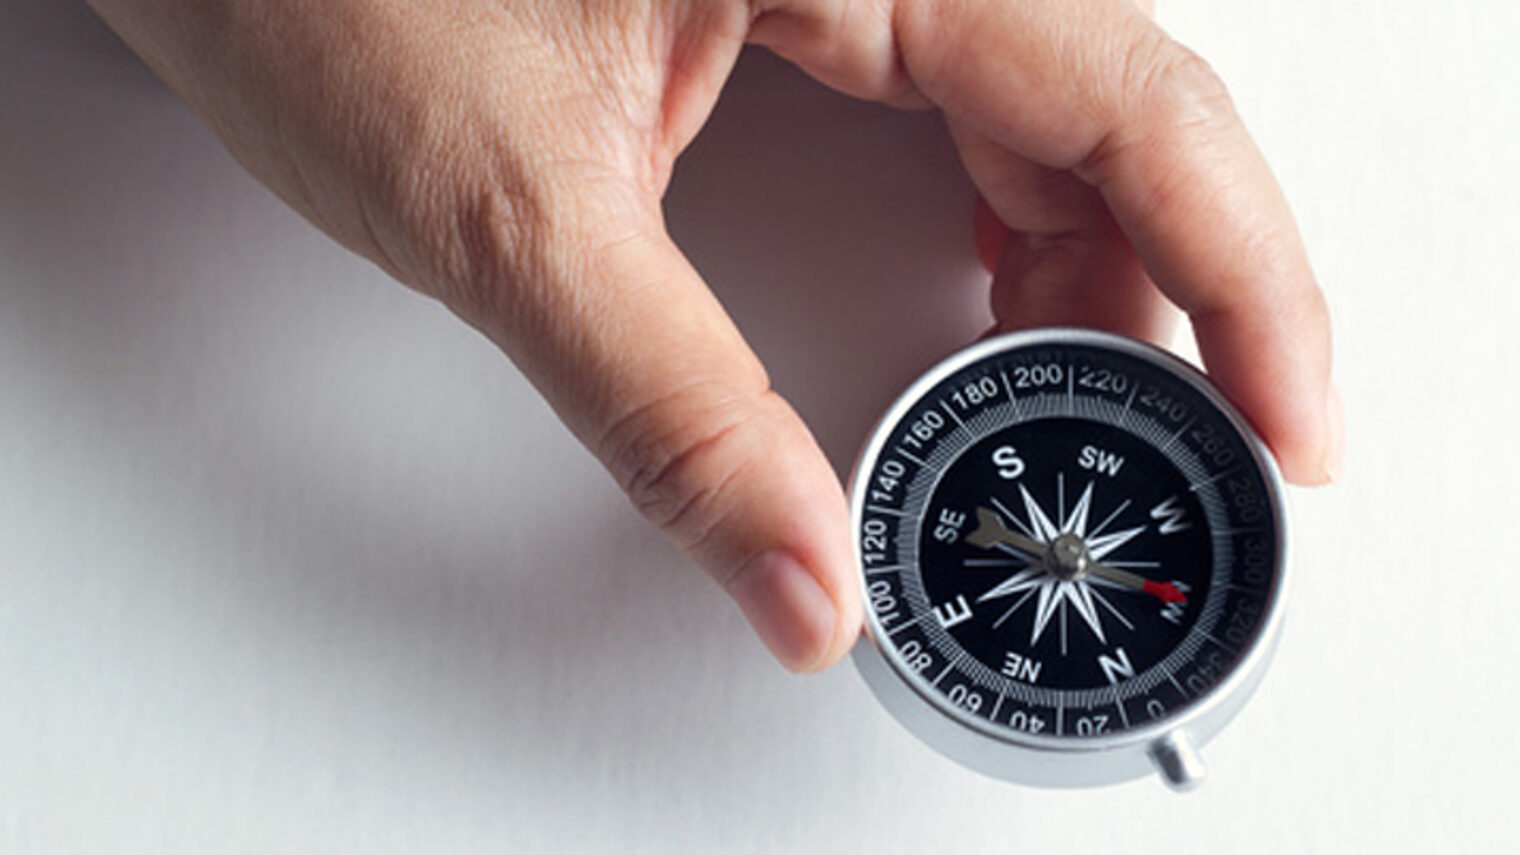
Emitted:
pixel 293 562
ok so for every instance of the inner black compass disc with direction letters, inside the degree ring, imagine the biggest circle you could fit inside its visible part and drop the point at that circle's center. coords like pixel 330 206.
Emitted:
pixel 1118 503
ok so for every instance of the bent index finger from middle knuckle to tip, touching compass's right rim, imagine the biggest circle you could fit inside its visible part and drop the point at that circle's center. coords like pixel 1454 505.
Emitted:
pixel 1202 208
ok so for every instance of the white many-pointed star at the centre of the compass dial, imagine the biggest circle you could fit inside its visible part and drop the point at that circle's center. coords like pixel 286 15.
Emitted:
pixel 1051 593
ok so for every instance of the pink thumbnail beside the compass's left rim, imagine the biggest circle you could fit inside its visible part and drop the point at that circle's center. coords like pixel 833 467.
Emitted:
pixel 788 609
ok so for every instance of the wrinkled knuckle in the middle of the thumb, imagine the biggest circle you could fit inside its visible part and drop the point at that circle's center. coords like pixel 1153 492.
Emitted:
pixel 682 457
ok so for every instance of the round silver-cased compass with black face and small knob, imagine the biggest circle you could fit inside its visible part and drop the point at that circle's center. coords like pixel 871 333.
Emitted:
pixel 1072 556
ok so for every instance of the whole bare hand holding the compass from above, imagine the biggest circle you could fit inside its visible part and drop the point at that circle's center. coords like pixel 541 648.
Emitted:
pixel 508 157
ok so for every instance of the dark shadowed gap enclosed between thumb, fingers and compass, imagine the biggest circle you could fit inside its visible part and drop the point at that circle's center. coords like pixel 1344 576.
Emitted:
pixel 838 234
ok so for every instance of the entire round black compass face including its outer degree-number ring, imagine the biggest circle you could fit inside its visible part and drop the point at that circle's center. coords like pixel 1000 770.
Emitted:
pixel 1033 611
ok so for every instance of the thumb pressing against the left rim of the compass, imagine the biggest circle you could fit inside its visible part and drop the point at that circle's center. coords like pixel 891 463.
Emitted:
pixel 647 369
